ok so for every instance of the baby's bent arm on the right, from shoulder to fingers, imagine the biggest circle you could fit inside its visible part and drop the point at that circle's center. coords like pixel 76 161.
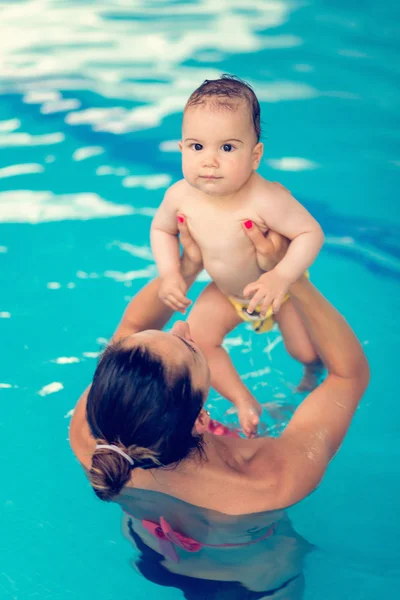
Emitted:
pixel 287 216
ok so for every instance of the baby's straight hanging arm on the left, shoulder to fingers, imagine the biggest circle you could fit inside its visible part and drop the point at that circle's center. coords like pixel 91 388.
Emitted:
pixel 165 247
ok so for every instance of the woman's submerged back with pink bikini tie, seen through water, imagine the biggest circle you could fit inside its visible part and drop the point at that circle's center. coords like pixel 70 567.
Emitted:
pixel 262 551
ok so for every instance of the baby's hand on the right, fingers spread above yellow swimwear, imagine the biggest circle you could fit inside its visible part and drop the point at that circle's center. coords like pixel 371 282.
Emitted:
pixel 270 288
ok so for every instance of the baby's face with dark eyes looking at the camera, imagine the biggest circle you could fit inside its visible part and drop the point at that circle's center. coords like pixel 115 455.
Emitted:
pixel 219 148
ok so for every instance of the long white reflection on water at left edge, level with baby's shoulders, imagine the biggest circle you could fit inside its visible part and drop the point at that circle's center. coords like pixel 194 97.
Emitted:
pixel 25 206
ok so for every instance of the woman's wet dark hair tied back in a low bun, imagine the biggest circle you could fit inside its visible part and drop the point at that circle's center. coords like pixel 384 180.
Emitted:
pixel 139 405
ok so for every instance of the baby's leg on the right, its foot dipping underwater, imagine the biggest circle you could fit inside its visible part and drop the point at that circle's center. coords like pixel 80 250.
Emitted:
pixel 299 345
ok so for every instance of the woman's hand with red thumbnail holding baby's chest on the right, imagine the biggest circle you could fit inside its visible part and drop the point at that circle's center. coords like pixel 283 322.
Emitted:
pixel 270 247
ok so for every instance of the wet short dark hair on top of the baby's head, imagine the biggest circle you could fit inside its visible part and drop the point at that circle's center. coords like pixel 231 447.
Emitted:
pixel 224 89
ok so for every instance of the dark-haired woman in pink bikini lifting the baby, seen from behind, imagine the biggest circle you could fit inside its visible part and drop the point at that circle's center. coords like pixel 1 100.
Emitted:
pixel 206 511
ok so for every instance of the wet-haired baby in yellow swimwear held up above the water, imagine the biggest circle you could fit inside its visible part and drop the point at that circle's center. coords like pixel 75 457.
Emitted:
pixel 221 190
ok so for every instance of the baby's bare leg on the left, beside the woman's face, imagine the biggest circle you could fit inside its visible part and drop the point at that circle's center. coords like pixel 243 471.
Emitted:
pixel 210 319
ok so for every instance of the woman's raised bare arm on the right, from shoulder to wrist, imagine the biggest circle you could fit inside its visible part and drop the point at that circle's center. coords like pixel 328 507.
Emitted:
pixel 319 425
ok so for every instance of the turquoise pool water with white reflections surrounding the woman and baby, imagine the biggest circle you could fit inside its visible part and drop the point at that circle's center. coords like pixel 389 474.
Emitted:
pixel 90 95
